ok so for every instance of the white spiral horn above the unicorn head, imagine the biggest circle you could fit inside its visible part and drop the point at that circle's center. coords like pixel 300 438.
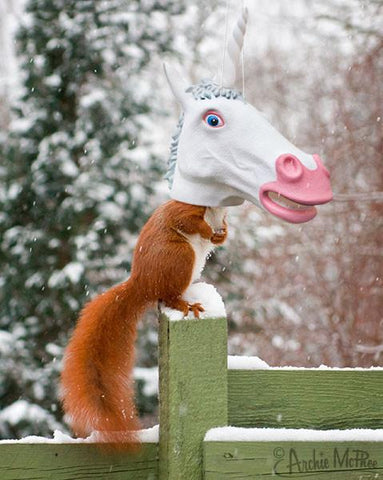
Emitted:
pixel 232 71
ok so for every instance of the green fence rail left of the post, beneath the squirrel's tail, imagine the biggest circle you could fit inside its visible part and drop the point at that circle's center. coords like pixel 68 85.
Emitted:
pixel 76 462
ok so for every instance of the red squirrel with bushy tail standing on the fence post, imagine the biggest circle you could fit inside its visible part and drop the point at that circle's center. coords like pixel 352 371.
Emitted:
pixel 96 381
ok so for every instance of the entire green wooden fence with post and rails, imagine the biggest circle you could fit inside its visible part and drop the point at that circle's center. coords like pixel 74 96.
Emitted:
pixel 199 393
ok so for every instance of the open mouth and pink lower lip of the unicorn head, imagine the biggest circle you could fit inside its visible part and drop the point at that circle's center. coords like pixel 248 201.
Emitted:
pixel 286 208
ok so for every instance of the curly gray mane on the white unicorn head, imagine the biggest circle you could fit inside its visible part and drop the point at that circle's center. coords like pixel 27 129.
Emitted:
pixel 204 90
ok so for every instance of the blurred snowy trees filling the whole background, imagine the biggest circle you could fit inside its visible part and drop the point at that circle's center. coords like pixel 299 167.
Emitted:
pixel 86 122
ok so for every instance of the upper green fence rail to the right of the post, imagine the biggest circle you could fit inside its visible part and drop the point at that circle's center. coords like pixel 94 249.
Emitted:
pixel 321 399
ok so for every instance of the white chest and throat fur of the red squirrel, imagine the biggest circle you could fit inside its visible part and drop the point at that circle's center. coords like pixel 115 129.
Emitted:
pixel 201 246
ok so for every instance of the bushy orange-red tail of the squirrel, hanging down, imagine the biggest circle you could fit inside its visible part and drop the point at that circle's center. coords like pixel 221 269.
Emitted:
pixel 96 382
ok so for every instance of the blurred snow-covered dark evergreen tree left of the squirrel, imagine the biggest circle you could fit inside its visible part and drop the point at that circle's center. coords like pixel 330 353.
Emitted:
pixel 76 176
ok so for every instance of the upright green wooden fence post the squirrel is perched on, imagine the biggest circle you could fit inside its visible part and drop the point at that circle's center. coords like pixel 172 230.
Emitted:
pixel 193 392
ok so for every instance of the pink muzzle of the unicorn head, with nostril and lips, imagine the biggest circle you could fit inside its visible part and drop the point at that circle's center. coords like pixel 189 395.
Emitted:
pixel 297 190
